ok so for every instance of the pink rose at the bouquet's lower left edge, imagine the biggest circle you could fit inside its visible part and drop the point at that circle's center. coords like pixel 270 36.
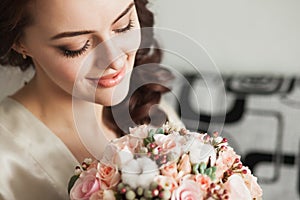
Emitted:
pixel 86 185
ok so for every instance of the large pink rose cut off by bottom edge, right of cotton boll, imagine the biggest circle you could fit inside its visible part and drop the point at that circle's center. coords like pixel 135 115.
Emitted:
pixel 189 190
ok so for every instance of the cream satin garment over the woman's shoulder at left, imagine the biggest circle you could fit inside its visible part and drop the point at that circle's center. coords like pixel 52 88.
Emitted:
pixel 34 163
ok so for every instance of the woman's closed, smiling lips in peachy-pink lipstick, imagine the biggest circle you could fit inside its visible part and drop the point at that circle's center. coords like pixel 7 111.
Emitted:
pixel 110 80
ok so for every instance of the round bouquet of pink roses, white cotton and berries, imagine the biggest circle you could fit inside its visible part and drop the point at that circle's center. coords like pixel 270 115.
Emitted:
pixel 165 163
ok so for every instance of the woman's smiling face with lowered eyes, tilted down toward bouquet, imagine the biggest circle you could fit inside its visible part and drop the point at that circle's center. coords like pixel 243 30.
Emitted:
pixel 83 44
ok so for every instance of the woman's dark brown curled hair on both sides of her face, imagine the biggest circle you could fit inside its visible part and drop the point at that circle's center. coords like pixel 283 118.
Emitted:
pixel 13 19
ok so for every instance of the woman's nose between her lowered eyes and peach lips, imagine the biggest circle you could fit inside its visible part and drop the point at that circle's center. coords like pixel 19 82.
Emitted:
pixel 108 55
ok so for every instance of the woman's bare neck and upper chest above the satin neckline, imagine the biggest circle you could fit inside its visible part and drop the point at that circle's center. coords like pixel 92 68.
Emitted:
pixel 75 122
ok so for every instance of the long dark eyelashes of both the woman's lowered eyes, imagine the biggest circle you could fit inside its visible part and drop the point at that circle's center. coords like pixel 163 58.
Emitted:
pixel 75 53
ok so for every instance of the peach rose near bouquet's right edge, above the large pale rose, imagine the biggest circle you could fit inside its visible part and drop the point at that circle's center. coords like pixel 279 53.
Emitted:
pixel 225 160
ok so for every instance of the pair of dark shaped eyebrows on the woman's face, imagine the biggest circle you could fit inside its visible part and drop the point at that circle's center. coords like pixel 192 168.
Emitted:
pixel 84 32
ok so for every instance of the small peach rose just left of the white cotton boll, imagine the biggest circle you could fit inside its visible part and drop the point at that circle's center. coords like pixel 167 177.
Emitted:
pixel 109 176
